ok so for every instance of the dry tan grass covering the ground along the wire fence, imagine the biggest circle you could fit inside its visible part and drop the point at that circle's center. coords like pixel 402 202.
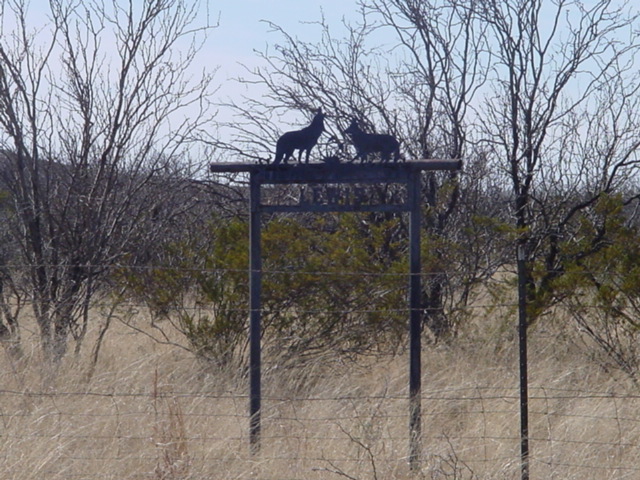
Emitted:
pixel 150 411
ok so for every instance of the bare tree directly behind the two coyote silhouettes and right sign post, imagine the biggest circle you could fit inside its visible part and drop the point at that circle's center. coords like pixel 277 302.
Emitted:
pixel 418 88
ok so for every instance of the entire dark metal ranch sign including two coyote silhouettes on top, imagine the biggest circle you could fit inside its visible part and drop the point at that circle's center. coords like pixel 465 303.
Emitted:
pixel 332 185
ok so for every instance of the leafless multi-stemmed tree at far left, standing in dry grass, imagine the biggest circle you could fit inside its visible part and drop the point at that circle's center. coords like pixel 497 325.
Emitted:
pixel 96 109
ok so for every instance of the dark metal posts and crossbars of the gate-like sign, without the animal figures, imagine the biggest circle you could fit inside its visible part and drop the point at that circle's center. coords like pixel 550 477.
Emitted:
pixel 331 187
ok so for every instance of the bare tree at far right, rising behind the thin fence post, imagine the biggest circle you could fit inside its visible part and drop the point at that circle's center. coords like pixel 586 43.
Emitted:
pixel 561 120
